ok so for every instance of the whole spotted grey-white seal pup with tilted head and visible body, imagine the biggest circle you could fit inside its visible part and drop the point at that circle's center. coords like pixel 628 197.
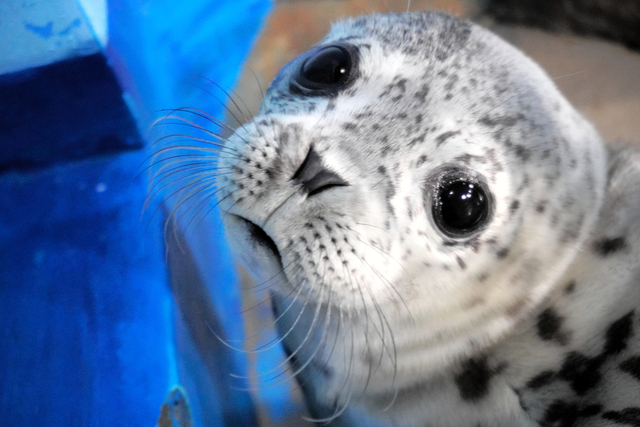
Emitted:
pixel 446 240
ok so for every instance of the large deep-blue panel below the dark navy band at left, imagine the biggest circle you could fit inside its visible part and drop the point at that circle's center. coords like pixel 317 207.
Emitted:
pixel 83 340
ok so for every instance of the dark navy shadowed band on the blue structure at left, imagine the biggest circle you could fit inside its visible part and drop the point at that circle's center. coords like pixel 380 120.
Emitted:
pixel 65 111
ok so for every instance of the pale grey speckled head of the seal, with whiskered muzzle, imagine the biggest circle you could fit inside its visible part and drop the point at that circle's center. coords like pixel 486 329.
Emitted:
pixel 412 188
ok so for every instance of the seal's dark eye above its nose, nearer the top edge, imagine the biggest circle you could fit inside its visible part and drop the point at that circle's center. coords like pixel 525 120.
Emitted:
pixel 325 71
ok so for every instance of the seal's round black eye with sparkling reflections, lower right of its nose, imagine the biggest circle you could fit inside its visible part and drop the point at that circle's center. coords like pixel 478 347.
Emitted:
pixel 461 207
